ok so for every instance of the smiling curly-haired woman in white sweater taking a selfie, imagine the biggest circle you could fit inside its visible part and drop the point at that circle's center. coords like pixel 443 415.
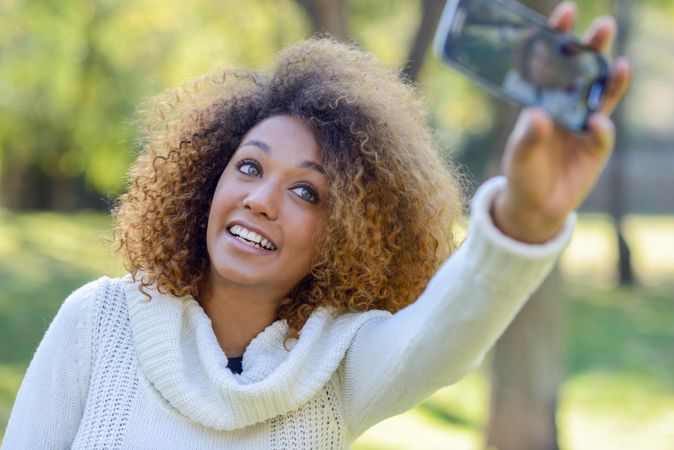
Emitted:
pixel 294 221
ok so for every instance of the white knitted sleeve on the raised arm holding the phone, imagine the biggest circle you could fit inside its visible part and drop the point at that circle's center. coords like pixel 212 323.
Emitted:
pixel 395 362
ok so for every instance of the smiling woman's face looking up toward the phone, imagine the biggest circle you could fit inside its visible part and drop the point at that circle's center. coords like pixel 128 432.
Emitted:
pixel 267 209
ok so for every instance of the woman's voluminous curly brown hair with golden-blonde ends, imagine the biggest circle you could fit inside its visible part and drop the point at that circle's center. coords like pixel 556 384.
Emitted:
pixel 392 201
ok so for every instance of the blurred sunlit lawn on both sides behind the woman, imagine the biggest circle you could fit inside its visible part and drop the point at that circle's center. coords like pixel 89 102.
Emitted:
pixel 618 395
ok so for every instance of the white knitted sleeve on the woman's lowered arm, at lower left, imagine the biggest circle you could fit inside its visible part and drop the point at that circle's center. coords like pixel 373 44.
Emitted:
pixel 51 399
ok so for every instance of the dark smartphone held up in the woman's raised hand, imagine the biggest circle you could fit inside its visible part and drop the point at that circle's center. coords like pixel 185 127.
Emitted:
pixel 512 52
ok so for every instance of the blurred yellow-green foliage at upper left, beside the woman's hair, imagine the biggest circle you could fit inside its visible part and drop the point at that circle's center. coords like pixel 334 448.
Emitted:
pixel 72 73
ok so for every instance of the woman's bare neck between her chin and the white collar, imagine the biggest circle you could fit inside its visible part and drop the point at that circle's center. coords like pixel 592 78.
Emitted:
pixel 238 313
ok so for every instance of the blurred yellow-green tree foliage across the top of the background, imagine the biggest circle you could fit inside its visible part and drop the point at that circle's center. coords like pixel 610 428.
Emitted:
pixel 73 71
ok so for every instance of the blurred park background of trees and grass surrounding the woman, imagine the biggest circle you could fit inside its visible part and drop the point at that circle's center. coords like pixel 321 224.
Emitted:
pixel 589 363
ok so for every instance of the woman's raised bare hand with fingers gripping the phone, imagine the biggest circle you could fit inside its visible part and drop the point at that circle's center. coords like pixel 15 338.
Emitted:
pixel 550 169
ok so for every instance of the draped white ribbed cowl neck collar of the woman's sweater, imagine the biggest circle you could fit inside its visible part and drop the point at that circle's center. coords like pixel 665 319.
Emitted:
pixel 179 356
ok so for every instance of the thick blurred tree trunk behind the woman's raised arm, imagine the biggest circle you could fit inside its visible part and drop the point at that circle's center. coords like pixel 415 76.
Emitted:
pixel 528 363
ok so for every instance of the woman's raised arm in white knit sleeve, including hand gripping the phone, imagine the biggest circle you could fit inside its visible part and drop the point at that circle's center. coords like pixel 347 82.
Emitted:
pixel 519 226
